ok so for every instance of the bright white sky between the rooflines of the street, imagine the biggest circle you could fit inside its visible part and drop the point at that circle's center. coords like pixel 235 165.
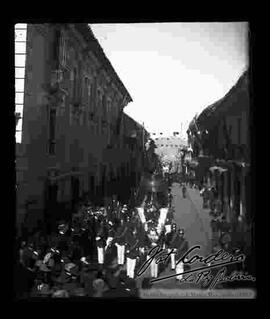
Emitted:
pixel 174 70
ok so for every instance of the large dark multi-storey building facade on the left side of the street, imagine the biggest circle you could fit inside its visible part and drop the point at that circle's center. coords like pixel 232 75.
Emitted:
pixel 73 105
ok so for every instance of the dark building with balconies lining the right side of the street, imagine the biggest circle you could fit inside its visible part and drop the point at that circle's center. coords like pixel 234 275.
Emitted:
pixel 220 137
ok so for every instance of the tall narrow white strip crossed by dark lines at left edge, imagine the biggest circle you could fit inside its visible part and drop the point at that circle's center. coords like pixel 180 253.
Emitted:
pixel 20 60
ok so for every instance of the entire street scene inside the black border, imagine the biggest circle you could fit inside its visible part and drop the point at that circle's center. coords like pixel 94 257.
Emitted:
pixel 99 169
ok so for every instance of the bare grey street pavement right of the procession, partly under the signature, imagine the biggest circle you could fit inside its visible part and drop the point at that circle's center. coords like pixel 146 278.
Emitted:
pixel 195 220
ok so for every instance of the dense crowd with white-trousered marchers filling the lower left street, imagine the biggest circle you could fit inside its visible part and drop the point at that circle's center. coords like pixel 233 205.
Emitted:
pixel 96 253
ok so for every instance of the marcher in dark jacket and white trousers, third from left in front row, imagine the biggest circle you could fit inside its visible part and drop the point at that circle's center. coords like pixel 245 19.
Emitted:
pixel 133 251
